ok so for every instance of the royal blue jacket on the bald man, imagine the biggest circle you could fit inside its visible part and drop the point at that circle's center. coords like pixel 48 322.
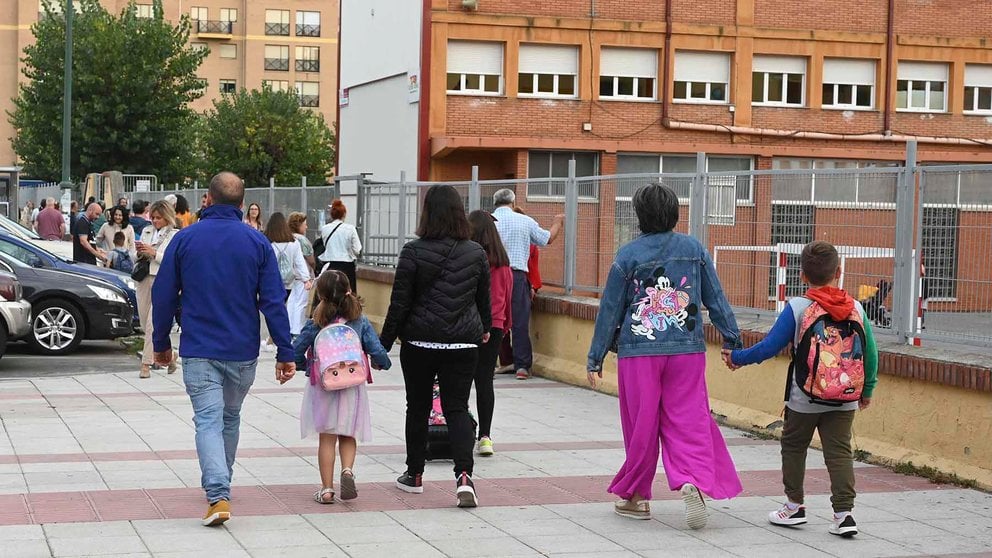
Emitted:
pixel 223 273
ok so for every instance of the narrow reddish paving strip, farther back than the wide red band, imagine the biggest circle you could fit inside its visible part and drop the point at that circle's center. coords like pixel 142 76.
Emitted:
pixel 307 451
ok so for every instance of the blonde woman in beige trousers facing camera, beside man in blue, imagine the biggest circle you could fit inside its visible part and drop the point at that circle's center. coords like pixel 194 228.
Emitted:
pixel 151 249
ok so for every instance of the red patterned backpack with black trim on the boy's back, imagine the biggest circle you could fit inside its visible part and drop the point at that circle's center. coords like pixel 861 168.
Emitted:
pixel 828 364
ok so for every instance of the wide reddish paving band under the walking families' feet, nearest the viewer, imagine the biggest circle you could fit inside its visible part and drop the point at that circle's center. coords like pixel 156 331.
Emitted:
pixel 188 503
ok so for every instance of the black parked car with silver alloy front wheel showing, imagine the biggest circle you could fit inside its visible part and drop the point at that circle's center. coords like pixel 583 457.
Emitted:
pixel 69 307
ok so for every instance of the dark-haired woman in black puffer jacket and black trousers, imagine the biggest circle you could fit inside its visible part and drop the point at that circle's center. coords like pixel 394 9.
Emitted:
pixel 440 309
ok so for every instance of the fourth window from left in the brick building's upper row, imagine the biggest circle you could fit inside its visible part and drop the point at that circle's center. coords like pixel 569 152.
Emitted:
pixel 701 77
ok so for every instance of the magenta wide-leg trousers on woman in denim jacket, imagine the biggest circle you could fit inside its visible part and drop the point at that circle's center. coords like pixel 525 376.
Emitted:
pixel 663 399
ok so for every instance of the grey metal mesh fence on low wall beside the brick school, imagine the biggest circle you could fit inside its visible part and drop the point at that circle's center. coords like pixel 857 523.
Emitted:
pixel 915 241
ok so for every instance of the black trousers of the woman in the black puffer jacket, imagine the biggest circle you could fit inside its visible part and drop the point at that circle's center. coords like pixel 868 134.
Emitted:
pixel 454 370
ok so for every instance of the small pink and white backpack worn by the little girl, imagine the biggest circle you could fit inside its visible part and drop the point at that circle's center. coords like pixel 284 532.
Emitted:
pixel 337 360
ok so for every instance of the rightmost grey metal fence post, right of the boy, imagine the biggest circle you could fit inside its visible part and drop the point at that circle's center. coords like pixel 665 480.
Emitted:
pixel 903 290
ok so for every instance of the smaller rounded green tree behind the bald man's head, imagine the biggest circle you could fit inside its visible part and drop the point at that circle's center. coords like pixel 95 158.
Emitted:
pixel 263 133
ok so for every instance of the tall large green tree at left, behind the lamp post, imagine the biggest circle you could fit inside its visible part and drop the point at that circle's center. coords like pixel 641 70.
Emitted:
pixel 133 80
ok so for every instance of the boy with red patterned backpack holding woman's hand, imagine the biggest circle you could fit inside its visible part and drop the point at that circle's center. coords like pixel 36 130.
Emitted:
pixel 833 373
